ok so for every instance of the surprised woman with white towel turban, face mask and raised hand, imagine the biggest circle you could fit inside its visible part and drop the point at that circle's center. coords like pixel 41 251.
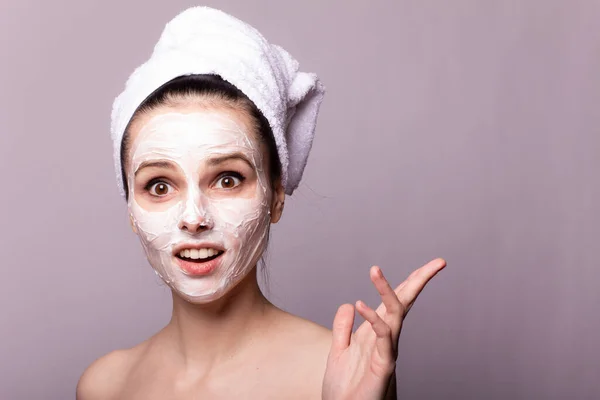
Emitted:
pixel 210 135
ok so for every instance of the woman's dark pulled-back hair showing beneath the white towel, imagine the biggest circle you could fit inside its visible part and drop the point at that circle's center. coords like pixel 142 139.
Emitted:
pixel 212 88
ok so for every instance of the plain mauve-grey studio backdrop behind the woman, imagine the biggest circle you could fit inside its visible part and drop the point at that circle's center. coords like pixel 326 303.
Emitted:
pixel 461 129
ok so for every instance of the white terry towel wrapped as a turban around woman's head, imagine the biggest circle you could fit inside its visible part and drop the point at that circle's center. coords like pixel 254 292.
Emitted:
pixel 203 40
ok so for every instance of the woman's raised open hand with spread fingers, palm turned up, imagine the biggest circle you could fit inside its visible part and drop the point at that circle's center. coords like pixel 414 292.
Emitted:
pixel 361 364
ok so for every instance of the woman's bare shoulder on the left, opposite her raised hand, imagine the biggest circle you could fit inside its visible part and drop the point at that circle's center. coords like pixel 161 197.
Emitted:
pixel 106 376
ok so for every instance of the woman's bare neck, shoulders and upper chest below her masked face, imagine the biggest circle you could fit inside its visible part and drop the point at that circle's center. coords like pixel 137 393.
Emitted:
pixel 244 347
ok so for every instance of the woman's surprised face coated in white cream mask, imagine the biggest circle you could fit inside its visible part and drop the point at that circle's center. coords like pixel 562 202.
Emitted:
pixel 207 210
